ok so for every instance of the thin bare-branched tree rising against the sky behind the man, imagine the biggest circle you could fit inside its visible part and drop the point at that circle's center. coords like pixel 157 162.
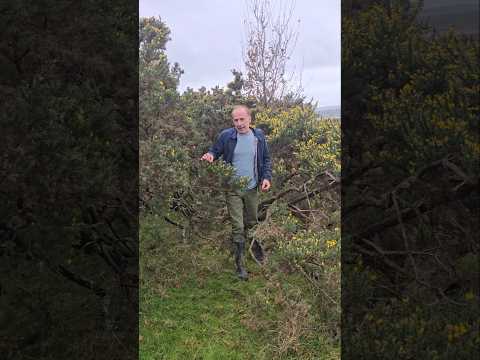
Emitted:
pixel 270 40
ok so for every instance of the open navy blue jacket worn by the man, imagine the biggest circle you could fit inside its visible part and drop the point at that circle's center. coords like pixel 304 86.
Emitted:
pixel 225 145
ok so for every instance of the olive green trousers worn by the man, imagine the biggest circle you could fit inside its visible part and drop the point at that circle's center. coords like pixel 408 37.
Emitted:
pixel 242 207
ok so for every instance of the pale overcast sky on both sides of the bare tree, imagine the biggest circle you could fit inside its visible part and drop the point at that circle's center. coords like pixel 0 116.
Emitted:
pixel 207 38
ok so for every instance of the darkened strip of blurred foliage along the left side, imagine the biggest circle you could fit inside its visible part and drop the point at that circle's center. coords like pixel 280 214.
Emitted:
pixel 69 179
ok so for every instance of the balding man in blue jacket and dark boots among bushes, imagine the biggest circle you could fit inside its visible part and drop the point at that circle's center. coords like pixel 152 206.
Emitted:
pixel 246 149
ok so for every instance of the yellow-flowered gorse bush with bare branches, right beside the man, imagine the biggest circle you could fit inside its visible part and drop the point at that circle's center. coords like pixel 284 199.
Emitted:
pixel 303 227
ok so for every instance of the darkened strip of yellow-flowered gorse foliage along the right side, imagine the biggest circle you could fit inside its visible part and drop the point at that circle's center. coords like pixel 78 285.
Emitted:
pixel 410 201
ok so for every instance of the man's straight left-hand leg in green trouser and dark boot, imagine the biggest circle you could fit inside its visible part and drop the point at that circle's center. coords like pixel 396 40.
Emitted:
pixel 235 210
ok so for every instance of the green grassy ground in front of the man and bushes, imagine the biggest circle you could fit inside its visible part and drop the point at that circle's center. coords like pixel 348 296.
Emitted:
pixel 194 307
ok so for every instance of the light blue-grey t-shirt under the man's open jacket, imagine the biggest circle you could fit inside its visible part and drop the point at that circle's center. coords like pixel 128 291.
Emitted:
pixel 244 157
